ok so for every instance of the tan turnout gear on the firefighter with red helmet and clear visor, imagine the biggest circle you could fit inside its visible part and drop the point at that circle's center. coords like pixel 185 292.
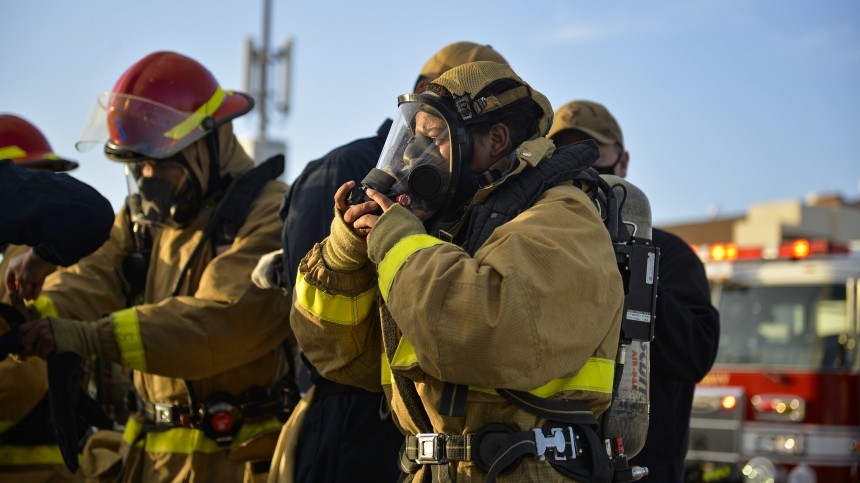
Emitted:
pixel 221 332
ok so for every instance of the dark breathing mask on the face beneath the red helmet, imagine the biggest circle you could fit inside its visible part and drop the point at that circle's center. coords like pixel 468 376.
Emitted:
pixel 164 189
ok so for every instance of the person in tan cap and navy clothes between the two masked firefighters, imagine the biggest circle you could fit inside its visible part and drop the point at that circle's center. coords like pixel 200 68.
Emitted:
pixel 330 445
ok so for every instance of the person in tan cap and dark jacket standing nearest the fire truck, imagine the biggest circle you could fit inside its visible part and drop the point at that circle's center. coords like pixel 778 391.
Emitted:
pixel 687 325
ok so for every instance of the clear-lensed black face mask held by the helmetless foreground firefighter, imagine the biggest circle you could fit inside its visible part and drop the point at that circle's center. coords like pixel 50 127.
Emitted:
pixel 423 159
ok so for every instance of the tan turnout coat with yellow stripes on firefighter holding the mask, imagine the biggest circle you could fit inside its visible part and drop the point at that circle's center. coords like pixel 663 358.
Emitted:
pixel 540 299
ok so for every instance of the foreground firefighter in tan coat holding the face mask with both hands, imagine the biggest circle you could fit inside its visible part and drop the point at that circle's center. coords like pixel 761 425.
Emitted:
pixel 476 322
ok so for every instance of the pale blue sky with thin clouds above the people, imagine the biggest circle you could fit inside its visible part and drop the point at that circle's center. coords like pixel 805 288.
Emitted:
pixel 722 104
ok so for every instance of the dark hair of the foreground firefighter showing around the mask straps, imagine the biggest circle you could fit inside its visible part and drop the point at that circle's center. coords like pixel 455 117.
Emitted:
pixel 521 117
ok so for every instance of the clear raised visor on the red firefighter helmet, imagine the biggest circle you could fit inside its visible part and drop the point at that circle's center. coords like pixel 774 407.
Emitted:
pixel 132 127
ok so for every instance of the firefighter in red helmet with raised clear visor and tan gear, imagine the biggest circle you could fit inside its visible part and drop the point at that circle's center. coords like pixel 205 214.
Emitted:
pixel 207 348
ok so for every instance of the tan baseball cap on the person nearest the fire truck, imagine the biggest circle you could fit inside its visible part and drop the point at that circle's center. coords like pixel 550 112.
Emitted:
pixel 589 117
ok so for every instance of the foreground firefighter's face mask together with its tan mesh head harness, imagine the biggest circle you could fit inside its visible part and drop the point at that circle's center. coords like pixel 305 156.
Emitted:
pixel 425 163
